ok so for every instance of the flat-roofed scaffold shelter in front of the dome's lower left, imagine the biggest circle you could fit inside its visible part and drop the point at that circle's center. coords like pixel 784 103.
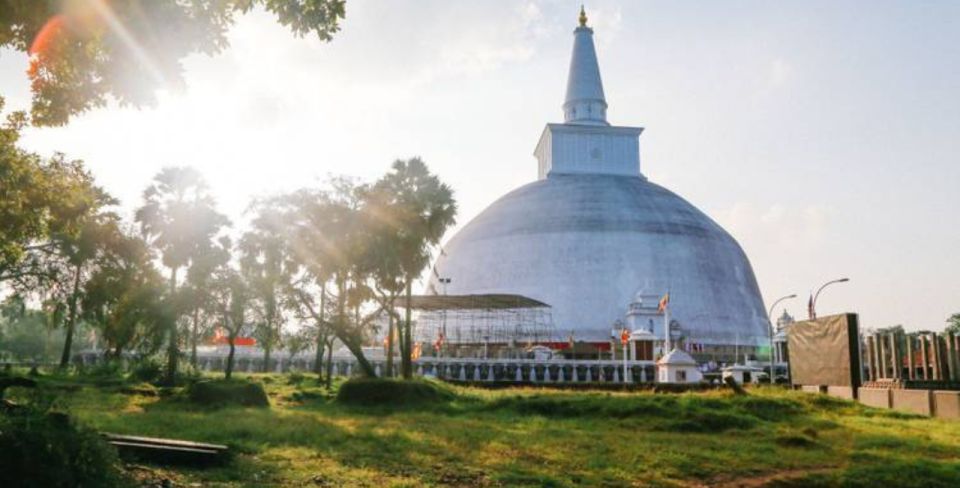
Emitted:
pixel 483 320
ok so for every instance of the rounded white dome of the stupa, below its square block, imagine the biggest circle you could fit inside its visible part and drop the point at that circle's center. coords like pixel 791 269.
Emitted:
pixel 583 243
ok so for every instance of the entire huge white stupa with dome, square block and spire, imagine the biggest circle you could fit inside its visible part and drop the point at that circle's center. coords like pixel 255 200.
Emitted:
pixel 592 230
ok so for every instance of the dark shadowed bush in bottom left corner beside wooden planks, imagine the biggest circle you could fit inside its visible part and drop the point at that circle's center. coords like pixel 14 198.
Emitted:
pixel 49 449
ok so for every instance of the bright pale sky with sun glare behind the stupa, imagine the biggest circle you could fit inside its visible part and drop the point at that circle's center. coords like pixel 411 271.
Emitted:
pixel 824 136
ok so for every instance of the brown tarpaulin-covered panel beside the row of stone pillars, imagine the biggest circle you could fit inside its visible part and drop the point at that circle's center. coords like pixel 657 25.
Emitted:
pixel 825 351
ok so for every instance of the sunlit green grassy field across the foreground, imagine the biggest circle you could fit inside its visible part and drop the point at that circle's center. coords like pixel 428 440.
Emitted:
pixel 536 437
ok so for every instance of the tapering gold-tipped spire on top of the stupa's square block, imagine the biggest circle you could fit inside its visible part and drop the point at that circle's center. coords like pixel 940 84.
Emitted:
pixel 585 102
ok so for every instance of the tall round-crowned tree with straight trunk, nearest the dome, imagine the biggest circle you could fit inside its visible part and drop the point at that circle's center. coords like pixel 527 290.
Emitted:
pixel 419 209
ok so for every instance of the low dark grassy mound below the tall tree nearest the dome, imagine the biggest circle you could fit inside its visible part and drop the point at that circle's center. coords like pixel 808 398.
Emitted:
pixel 379 391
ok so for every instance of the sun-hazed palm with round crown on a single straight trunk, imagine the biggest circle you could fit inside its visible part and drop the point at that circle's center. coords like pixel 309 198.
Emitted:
pixel 179 219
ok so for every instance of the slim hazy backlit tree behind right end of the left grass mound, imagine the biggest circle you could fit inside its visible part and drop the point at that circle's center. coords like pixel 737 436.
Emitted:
pixel 266 264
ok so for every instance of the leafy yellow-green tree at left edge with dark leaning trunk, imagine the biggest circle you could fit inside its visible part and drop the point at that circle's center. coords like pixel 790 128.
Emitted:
pixel 54 224
